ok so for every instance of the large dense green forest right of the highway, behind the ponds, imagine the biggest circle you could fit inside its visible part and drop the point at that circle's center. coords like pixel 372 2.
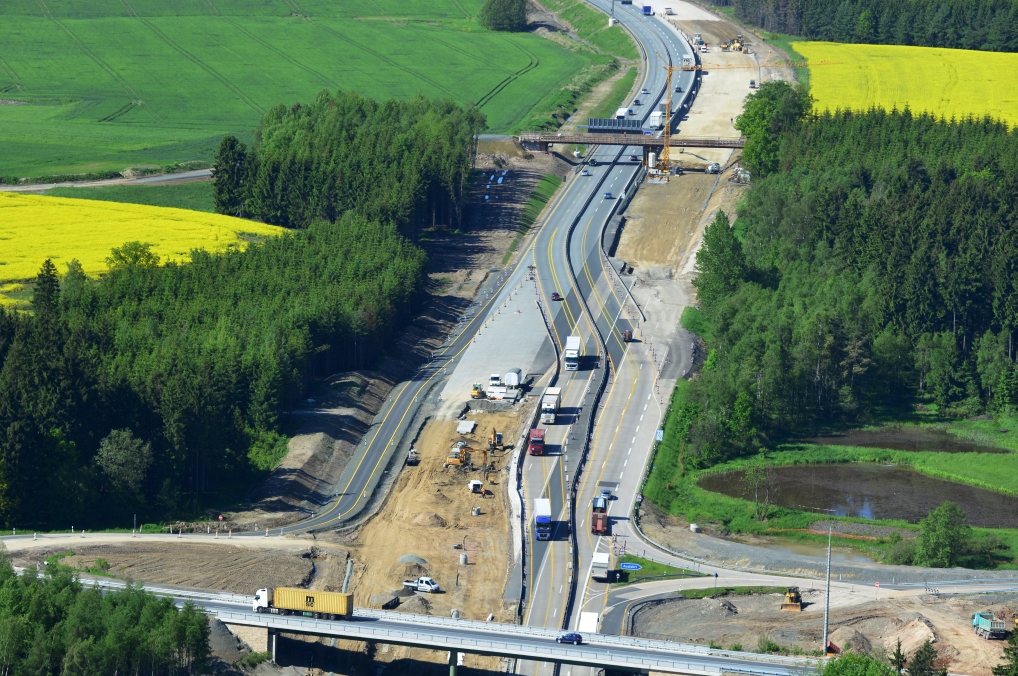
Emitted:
pixel 873 268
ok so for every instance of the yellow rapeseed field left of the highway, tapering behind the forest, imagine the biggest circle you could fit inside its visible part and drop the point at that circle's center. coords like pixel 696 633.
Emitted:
pixel 35 228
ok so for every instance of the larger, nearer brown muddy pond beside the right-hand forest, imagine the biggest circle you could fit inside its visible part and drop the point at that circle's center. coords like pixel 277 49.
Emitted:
pixel 871 491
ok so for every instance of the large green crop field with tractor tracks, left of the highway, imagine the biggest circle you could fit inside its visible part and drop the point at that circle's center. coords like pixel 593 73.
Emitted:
pixel 106 86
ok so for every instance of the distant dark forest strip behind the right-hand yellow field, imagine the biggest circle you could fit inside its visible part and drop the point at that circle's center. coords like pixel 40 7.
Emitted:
pixel 983 25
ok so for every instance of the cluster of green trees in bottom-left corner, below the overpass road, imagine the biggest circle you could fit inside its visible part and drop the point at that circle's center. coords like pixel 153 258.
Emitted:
pixel 55 626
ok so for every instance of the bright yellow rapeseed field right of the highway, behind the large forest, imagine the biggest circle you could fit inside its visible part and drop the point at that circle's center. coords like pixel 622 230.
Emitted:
pixel 944 82
